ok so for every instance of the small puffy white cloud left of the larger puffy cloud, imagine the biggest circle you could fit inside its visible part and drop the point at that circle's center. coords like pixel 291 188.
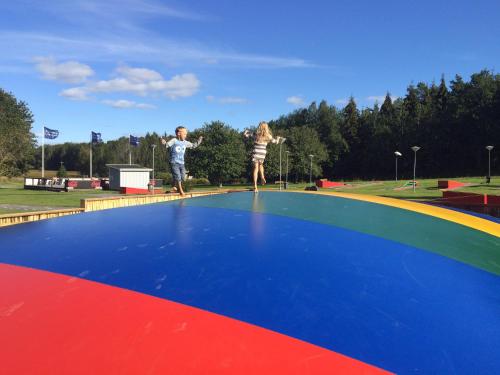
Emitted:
pixel 69 72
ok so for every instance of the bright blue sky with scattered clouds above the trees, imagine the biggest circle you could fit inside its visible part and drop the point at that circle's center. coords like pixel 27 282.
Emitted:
pixel 133 66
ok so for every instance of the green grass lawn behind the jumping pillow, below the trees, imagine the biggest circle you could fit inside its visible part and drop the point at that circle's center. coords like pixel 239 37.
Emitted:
pixel 14 198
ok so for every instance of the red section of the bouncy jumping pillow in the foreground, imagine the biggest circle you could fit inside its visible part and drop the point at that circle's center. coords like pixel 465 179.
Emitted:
pixel 57 324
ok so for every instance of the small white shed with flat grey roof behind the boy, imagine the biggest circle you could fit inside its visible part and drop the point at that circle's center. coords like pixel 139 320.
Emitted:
pixel 128 175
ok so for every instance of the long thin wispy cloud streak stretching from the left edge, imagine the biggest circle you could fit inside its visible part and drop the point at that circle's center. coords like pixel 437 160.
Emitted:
pixel 138 46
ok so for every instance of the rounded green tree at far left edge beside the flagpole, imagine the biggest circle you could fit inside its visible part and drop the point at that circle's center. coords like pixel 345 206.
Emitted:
pixel 17 142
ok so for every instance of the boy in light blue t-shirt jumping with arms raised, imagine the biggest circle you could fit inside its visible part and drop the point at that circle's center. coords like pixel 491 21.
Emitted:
pixel 178 147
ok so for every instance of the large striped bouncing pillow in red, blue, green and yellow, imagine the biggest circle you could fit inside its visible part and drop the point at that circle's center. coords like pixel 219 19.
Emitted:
pixel 243 283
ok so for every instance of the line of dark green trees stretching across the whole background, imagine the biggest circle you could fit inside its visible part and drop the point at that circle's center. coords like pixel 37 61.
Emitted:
pixel 451 123
